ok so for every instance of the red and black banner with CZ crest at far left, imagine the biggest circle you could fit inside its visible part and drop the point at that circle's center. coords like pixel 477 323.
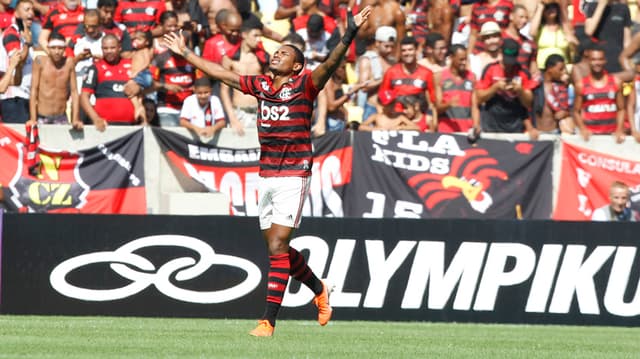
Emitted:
pixel 106 179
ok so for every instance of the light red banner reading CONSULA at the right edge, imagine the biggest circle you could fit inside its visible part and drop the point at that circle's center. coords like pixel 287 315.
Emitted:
pixel 585 180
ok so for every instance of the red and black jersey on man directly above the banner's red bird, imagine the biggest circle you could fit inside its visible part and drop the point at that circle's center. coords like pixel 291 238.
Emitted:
pixel 457 118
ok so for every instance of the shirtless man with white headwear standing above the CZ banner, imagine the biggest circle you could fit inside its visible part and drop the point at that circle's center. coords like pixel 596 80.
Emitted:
pixel 53 82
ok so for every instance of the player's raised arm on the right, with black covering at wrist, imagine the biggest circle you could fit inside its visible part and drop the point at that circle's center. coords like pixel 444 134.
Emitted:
pixel 322 73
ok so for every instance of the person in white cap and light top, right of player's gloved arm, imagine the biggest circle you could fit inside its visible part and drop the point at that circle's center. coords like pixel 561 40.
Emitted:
pixel 371 66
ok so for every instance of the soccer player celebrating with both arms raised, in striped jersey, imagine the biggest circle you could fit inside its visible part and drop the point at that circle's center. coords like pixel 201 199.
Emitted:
pixel 284 131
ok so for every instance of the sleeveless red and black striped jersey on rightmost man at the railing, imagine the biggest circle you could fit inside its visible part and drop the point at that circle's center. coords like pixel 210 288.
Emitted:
pixel 599 108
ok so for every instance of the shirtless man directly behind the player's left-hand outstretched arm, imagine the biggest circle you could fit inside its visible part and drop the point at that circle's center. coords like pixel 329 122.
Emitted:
pixel 242 109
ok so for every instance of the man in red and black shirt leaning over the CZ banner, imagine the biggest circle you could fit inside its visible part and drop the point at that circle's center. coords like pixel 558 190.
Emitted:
pixel 106 80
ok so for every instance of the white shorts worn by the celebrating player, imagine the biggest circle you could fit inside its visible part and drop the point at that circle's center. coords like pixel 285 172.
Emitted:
pixel 281 200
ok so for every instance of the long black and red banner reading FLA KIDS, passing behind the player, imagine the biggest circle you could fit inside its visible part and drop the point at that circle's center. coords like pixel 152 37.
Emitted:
pixel 388 174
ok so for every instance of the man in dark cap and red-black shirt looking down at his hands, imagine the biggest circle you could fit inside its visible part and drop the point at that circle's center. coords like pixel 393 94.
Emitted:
pixel 505 94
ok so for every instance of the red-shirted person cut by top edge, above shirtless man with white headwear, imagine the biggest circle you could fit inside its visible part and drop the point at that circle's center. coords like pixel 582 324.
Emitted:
pixel 63 19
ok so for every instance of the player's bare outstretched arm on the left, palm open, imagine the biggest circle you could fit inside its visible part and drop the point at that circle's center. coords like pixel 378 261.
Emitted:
pixel 175 42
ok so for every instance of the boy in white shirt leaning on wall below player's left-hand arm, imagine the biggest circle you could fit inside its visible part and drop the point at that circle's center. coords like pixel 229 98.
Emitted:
pixel 202 112
